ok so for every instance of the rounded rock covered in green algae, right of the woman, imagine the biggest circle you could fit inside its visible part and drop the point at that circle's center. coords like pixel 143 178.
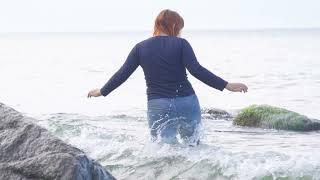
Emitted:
pixel 269 117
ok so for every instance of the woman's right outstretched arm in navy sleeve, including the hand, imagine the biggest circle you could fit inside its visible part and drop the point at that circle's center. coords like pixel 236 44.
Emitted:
pixel 190 62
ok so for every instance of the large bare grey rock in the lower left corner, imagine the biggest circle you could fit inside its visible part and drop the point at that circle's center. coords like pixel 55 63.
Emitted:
pixel 28 151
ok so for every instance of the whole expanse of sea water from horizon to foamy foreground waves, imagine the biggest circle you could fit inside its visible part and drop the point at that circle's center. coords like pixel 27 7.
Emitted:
pixel 48 75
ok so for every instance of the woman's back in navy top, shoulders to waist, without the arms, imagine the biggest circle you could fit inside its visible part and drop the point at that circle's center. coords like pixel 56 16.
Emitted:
pixel 165 73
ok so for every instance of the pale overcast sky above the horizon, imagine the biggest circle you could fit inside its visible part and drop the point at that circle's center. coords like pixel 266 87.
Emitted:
pixel 105 15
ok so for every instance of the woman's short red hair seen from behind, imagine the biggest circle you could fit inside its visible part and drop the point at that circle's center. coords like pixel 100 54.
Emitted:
pixel 168 22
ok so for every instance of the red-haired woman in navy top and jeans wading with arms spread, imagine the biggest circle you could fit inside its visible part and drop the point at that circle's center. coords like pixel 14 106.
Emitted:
pixel 173 106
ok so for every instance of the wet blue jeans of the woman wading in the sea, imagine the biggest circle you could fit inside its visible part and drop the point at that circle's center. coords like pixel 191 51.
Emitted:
pixel 168 117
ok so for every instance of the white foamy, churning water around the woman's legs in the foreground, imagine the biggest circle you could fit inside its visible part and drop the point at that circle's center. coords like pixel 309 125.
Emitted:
pixel 121 144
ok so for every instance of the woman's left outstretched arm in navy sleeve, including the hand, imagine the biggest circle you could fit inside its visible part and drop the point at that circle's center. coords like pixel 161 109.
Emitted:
pixel 130 65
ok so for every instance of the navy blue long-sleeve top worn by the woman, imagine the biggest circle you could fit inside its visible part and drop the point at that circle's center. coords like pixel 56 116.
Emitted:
pixel 164 60
